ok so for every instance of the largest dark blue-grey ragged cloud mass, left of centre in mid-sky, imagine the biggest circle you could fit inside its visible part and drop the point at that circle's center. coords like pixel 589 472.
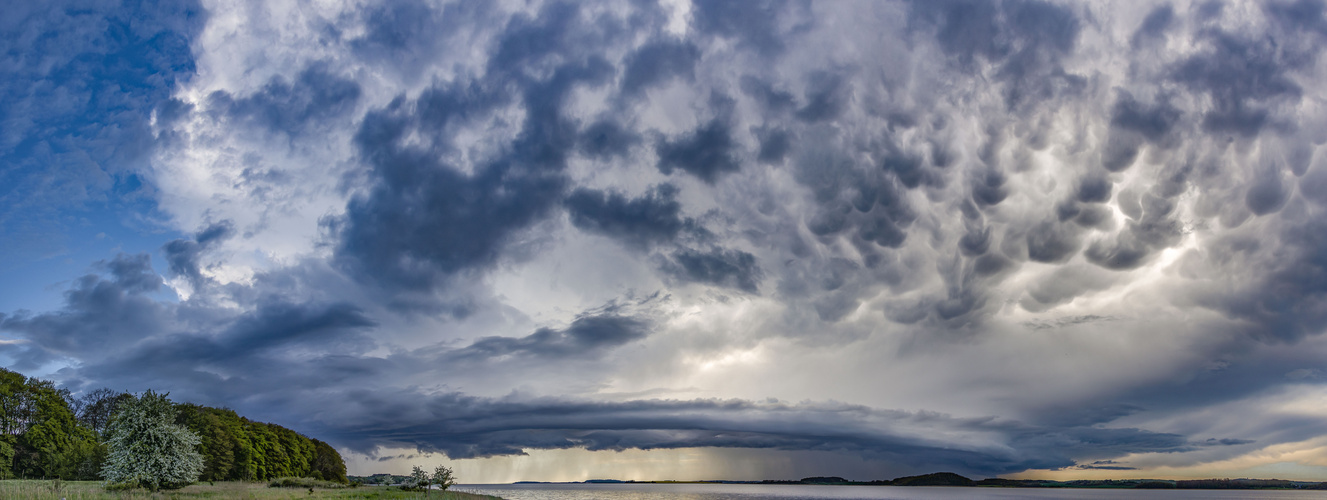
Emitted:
pixel 427 219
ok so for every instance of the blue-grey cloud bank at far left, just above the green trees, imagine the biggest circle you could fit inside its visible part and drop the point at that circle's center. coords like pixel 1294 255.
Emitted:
pixel 132 335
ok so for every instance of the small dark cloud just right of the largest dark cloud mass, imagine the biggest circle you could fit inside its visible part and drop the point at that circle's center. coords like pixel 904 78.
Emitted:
pixel 643 222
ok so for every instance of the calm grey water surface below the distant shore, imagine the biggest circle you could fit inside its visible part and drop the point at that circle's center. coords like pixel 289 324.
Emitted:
pixel 810 493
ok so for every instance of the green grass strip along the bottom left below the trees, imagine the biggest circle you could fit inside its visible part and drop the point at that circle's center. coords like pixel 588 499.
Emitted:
pixel 26 489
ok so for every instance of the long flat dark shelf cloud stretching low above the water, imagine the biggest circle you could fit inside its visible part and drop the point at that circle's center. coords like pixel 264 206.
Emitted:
pixel 465 426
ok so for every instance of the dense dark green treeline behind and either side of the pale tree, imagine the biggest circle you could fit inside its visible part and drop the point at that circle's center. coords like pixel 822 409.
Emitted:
pixel 46 433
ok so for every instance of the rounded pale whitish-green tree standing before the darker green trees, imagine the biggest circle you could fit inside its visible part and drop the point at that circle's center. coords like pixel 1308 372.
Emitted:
pixel 149 449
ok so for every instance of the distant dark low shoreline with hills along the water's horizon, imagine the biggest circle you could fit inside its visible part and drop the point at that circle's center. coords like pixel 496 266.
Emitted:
pixel 949 479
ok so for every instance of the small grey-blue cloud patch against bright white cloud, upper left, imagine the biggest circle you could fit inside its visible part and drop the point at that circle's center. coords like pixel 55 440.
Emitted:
pixel 285 107
